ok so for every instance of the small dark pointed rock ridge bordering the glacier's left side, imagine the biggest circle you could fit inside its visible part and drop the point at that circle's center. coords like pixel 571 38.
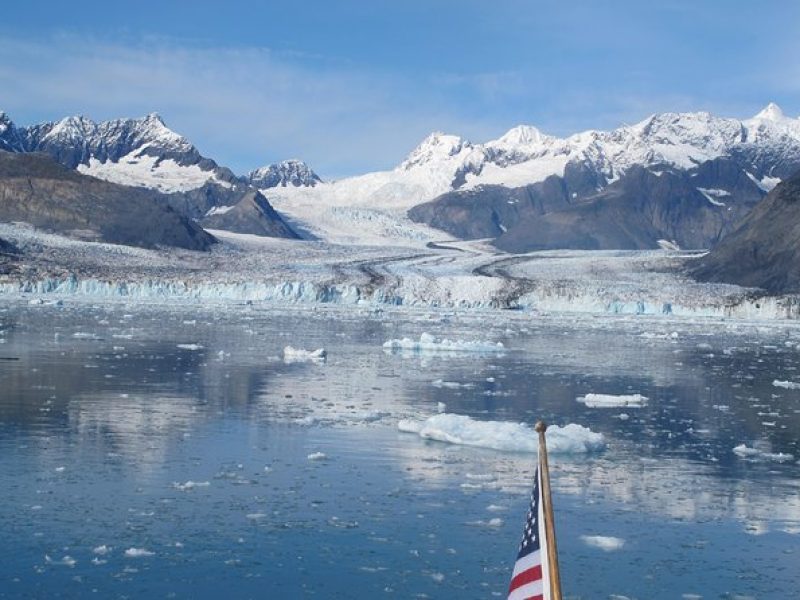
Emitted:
pixel 252 214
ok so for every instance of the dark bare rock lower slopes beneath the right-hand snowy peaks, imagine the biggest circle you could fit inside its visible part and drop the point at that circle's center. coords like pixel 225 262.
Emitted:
pixel 692 209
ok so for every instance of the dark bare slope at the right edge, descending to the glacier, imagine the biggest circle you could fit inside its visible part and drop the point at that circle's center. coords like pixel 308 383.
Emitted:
pixel 764 251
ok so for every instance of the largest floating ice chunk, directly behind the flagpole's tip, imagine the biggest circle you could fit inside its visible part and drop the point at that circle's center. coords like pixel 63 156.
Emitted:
pixel 502 435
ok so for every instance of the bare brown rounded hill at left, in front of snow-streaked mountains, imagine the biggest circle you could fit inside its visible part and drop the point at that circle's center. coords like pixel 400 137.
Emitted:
pixel 37 190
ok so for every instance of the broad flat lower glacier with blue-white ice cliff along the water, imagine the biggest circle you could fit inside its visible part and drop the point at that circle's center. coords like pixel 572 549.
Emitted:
pixel 451 274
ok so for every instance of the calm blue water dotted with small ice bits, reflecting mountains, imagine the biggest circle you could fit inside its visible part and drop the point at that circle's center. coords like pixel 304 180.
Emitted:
pixel 165 453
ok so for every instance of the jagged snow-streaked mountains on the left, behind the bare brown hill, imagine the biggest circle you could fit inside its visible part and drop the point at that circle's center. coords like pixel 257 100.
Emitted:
pixel 145 153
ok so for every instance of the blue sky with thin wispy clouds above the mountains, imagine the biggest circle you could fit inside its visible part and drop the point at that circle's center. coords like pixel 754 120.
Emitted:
pixel 352 86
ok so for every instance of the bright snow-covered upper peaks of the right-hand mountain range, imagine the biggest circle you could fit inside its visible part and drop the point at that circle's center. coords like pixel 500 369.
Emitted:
pixel 683 140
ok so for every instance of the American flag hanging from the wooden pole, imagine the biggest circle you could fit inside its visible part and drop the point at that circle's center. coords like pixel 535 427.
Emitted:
pixel 530 580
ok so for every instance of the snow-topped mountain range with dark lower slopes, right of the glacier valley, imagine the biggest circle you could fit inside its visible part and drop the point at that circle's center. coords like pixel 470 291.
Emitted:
pixel 678 179
